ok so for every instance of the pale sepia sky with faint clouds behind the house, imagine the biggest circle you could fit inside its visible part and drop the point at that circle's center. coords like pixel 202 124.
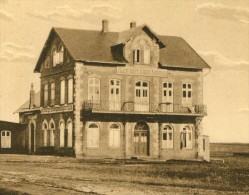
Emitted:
pixel 217 30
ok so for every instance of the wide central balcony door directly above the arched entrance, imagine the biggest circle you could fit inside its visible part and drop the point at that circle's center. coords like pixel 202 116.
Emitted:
pixel 142 96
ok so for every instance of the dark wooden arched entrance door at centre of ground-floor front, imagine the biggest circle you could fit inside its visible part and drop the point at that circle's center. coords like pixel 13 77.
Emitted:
pixel 141 139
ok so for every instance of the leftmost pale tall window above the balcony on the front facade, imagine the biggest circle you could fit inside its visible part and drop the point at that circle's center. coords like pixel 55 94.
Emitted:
pixel 94 90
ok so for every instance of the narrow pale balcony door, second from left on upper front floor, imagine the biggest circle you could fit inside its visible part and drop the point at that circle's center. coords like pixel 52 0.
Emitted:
pixel 114 98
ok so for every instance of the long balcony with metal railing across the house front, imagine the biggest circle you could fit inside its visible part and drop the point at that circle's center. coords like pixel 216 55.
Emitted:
pixel 138 108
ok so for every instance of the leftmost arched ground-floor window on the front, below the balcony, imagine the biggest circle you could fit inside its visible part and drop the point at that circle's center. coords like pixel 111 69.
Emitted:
pixel 93 135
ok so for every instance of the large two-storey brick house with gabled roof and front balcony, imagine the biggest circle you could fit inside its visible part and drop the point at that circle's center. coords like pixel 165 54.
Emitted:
pixel 118 95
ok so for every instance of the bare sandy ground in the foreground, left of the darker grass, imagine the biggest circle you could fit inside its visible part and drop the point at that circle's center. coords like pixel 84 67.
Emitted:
pixel 28 174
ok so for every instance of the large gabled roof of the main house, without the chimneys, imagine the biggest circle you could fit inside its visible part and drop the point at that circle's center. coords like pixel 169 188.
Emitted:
pixel 91 45
